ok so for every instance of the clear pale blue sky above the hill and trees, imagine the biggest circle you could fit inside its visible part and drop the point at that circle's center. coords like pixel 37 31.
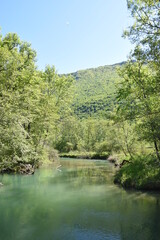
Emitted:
pixel 70 34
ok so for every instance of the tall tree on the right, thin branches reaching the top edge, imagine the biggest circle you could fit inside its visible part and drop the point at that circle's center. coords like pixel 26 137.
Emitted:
pixel 138 94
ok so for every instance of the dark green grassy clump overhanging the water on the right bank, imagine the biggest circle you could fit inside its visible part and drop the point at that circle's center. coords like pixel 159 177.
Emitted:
pixel 140 173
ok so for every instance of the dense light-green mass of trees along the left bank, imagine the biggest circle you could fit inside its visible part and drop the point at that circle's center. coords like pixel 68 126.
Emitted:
pixel 31 102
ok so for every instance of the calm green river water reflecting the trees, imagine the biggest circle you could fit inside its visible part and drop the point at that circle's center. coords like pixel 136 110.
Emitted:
pixel 80 202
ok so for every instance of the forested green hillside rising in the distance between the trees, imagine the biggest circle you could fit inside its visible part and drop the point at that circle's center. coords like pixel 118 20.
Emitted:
pixel 95 90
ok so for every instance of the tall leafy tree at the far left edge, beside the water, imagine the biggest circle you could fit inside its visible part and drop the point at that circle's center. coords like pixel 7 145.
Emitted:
pixel 16 76
